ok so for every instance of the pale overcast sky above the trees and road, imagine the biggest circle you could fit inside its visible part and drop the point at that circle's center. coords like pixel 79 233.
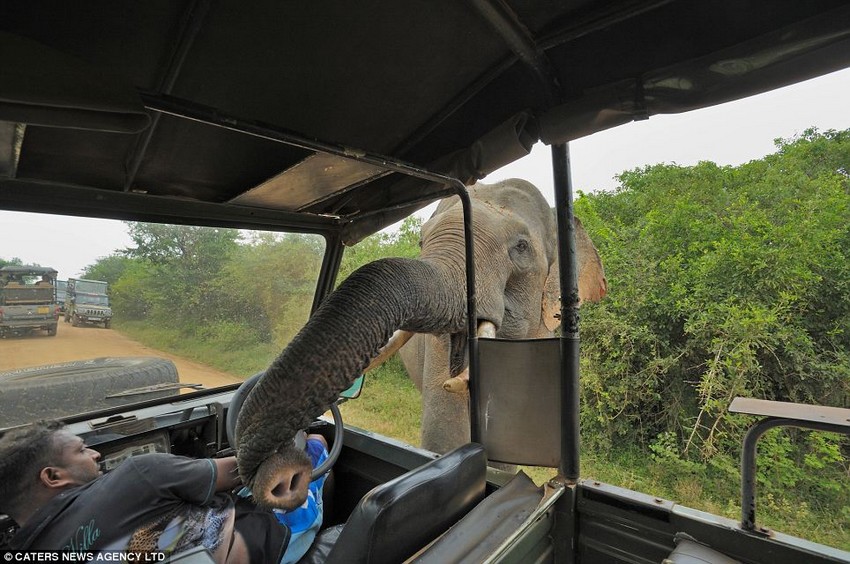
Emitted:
pixel 729 134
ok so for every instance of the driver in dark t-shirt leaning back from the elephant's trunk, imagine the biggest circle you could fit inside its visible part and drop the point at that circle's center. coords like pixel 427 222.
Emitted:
pixel 51 485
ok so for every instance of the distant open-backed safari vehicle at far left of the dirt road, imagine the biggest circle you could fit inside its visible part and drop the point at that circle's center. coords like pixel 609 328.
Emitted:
pixel 28 300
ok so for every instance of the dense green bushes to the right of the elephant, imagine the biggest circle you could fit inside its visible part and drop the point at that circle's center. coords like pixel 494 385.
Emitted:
pixel 724 282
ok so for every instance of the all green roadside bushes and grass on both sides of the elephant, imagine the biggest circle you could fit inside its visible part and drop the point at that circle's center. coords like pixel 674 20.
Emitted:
pixel 723 282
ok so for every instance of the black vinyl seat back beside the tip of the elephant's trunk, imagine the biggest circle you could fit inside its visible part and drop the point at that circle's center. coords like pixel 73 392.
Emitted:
pixel 396 519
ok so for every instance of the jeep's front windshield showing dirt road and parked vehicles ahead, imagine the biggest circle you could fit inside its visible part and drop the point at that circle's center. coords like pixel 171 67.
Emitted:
pixel 203 306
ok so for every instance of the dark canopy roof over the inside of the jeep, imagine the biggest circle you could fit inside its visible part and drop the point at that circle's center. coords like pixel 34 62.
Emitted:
pixel 153 109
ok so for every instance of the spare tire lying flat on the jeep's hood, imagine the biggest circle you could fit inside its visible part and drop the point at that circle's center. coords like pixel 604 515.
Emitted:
pixel 70 388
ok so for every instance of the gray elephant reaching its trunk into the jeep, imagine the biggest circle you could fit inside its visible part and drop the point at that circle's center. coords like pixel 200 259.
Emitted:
pixel 385 302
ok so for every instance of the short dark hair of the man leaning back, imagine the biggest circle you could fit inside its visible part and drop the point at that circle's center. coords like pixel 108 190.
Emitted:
pixel 23 454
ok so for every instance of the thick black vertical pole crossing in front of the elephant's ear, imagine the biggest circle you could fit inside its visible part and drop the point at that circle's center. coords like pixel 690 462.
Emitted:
pixel 569 467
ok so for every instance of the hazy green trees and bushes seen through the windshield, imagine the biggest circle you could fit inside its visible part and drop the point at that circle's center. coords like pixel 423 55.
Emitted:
pixel 231 291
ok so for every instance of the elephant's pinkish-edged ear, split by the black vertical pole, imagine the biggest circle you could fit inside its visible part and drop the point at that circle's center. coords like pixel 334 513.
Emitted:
pixel 592 284
